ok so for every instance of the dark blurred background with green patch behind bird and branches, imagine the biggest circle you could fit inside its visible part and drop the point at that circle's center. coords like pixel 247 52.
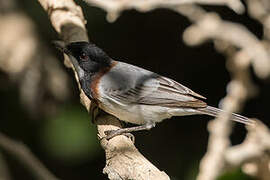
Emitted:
pixel 65 141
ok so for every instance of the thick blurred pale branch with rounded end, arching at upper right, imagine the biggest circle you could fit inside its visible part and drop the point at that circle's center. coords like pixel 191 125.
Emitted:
pixel 211 26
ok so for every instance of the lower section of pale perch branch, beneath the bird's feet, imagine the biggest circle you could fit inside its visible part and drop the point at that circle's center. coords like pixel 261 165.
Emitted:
pixel 124 161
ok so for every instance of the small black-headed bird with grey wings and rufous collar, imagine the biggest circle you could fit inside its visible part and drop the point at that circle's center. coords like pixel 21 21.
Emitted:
pixel 133 94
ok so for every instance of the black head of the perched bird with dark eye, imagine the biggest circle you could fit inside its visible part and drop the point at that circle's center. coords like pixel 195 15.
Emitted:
pixel 90 58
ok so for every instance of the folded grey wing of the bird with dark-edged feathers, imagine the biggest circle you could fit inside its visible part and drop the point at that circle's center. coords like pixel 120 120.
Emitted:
pixel 127 84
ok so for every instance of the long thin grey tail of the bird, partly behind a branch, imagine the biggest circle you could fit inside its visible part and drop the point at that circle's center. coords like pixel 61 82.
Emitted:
pixel 212 111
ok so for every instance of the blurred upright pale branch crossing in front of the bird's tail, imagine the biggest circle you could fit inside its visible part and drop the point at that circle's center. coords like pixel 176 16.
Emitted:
pixel 213 163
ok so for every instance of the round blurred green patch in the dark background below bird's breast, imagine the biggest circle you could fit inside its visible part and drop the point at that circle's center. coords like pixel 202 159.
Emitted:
pixel 70 136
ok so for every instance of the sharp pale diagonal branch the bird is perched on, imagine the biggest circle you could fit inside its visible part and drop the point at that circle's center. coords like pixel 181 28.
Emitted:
pixel 123 160
